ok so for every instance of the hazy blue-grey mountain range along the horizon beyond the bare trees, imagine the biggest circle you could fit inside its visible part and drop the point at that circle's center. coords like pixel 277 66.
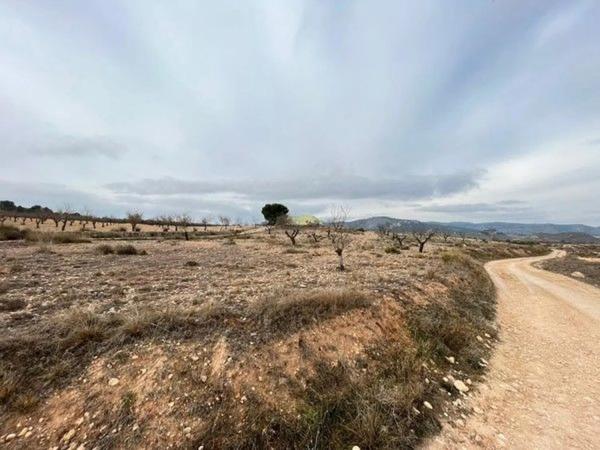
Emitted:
pixel 485 228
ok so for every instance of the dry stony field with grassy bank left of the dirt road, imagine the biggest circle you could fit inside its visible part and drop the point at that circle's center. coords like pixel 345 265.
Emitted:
pixel 239 340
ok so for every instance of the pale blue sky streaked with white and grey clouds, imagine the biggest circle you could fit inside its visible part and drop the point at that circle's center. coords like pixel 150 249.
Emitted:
pixel 464 110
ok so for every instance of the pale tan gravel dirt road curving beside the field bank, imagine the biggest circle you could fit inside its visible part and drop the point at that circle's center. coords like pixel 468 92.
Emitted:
pixel 543 386
